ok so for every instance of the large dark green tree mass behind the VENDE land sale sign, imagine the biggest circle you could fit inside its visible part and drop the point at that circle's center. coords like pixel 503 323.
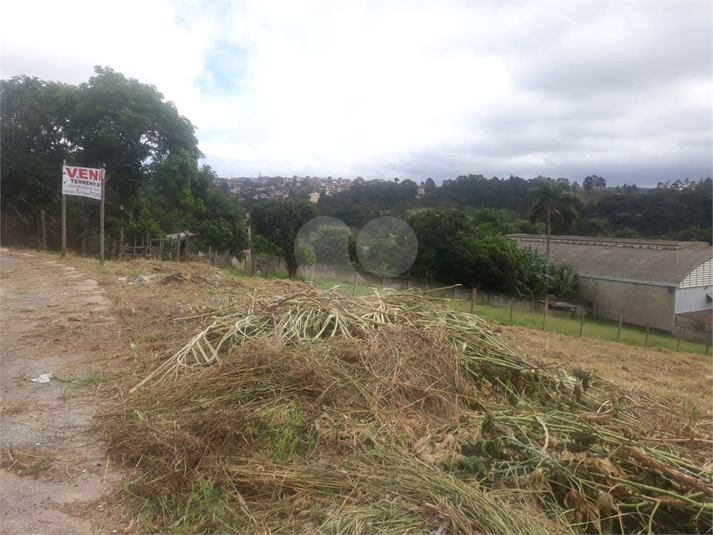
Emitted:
pixel 149 150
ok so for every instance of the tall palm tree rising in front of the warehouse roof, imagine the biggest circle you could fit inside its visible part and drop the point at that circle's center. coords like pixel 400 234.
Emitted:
pixel 554 203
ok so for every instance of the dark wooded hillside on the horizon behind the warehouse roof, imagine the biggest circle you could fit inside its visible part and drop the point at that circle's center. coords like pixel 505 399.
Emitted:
pixel 678 211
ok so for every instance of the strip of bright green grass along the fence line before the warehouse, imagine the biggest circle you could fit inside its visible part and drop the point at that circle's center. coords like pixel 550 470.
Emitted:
pixel 595 329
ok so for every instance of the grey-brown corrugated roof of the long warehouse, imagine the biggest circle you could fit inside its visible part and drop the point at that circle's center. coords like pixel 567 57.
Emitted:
pixel 658 262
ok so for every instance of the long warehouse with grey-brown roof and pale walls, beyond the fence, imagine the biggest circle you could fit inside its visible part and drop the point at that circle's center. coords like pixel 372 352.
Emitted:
pixel 648 282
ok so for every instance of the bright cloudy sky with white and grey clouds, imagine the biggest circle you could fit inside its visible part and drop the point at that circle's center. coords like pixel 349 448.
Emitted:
pixel 404 89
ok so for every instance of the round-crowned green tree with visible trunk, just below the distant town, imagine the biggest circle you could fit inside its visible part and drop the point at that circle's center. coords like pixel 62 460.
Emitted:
pixel 279 221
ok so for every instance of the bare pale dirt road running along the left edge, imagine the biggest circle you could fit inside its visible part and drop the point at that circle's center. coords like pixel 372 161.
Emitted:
pixel 55 476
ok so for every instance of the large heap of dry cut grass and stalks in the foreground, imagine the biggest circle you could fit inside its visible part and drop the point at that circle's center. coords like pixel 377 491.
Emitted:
pixel 293 410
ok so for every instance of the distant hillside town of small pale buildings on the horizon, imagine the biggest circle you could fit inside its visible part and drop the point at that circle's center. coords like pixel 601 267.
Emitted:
pixel 279 187
